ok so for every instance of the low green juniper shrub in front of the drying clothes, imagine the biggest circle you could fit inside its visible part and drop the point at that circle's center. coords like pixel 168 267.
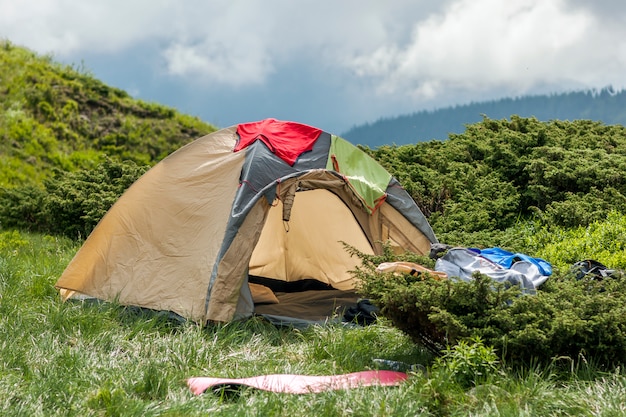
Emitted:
pixel 566 318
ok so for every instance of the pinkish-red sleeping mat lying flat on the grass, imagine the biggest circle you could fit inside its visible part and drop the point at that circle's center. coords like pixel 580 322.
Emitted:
pixel 300 384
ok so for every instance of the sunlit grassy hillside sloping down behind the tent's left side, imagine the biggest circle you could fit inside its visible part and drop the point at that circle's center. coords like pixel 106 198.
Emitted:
pixel 58 117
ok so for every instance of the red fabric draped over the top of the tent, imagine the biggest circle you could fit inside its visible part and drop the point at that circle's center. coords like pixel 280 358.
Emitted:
pixel 288 140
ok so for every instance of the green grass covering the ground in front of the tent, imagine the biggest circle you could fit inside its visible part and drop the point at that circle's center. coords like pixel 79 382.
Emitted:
pixel 101 359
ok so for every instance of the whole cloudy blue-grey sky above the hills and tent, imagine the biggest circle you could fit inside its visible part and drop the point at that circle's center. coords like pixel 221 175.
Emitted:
pixel 332 64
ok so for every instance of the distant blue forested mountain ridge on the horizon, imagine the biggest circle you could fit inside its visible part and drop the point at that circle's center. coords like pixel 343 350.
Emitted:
pixel 606 105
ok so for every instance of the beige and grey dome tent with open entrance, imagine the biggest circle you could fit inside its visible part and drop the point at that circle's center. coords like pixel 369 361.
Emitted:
pixel 222 227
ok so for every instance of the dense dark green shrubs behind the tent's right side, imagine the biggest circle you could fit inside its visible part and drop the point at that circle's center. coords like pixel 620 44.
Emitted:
pixel 497 171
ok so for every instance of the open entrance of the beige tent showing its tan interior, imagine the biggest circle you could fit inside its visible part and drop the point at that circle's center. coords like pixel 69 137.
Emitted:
pixel 304 261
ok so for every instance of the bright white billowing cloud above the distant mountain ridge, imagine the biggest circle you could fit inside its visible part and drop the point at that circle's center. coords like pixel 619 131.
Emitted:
pixel 489 44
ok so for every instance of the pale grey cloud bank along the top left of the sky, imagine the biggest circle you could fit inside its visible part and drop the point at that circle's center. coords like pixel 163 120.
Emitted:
pixel 236 43
